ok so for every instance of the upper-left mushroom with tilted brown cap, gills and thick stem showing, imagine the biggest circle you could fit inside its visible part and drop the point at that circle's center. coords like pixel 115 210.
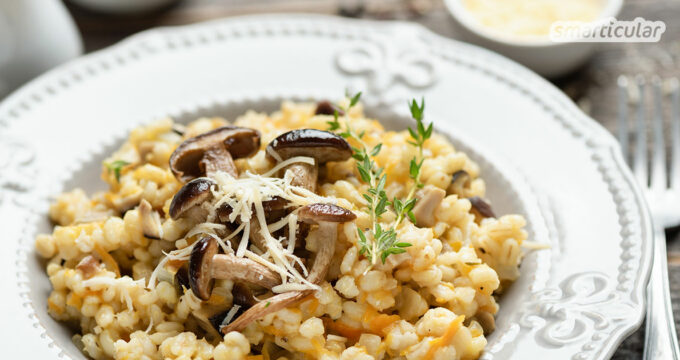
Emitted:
pixel 213 151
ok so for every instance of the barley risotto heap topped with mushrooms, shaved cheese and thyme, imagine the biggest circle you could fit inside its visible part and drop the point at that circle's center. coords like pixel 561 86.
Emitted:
pixel 308 233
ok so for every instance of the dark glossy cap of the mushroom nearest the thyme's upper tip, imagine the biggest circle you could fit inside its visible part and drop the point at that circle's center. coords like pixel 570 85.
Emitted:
pixel 321 145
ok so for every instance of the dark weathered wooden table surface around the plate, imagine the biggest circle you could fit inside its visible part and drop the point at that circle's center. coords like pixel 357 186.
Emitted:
pixel 593 87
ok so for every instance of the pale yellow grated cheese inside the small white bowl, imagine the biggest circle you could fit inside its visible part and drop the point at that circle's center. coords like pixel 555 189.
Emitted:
pixel 530 18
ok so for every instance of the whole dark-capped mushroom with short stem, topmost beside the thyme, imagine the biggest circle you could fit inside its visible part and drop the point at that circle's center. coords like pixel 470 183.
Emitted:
pixel 323 146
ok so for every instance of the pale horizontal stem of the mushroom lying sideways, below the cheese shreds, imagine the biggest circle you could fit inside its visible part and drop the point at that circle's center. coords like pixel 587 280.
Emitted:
pixel 245 270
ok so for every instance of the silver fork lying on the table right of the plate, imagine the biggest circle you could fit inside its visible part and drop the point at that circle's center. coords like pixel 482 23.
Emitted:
pixel 663 197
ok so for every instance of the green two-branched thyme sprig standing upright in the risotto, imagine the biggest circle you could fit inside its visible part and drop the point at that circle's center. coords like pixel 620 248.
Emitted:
pixel 378 242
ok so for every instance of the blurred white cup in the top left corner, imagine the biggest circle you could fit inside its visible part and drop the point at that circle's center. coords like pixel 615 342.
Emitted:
pixel 35 36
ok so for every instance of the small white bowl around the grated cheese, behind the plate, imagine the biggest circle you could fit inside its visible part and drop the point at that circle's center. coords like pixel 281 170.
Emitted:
pixel 548 58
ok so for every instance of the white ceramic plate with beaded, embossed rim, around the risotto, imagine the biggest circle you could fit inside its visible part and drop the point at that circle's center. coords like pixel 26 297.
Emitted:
pixel 539 154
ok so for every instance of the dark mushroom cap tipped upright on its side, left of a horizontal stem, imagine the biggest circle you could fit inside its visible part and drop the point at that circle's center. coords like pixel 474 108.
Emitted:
pixel 201 280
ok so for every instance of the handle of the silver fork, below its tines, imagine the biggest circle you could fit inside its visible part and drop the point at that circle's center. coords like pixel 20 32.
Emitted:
pixel 661 341
